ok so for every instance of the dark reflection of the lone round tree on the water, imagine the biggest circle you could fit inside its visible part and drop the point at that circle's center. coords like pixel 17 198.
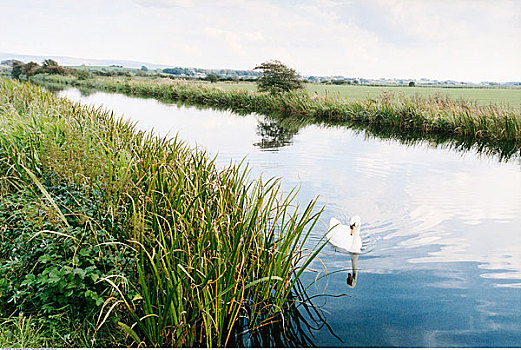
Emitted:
pixel 274 134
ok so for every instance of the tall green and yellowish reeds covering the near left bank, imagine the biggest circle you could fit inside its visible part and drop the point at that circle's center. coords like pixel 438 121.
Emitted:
pixel 210 245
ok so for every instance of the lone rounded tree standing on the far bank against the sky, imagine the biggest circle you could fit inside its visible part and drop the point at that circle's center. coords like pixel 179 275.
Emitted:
pixel 277 77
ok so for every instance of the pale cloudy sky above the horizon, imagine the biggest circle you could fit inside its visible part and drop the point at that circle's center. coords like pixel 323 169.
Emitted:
pixel 459 40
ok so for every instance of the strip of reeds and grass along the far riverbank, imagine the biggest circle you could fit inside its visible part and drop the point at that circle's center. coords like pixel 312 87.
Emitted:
pixel 432 115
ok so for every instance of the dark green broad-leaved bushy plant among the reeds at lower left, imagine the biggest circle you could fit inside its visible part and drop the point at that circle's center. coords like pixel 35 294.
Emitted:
pixel 46 269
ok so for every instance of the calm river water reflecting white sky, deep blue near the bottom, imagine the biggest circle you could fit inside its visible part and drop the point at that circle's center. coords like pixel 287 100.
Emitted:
pixel 442 228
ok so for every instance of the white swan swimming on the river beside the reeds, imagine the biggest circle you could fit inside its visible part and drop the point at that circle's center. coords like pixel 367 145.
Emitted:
pixel 346 237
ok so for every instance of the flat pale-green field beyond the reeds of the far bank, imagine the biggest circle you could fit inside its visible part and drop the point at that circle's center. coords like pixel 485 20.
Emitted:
pixel 502 96
